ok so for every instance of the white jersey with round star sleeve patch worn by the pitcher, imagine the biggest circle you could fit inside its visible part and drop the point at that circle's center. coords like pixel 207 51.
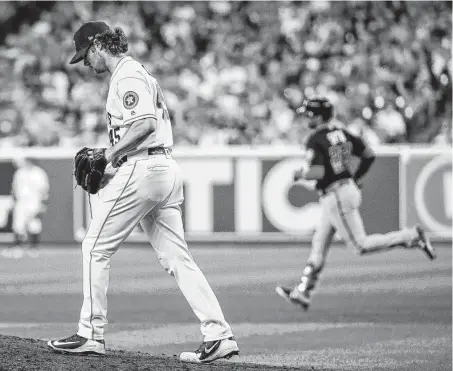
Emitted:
pixel 134 94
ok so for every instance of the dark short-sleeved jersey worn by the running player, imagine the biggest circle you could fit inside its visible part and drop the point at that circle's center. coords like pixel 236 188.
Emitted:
pixel 333 148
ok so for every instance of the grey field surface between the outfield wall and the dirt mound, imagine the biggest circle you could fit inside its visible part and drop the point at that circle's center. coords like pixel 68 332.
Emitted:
pixel 384 312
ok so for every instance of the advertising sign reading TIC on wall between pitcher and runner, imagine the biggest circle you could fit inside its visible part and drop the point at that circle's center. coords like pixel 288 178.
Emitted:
pixel 255 198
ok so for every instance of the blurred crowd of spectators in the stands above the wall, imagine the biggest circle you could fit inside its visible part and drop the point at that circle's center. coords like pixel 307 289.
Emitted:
pixel 234 72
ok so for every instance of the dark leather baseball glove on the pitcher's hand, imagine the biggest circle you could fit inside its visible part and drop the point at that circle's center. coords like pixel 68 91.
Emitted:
pixel 89 168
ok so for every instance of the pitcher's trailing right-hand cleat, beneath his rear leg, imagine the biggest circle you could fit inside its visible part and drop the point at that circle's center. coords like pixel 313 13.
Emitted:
pixel 211 350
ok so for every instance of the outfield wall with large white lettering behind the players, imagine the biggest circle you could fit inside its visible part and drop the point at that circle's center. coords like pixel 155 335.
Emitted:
pixel 247 194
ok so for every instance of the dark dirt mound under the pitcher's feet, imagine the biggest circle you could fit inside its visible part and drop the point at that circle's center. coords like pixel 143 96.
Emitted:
pixel 19 354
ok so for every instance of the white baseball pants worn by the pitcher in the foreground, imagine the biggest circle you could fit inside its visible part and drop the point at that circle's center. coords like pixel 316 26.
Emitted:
pixel 149 191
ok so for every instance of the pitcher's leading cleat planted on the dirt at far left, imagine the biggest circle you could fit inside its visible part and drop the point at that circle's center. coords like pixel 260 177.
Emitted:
pixel 76 344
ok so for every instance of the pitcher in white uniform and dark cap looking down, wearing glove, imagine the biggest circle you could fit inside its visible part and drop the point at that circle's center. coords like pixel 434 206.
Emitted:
pixel 137 181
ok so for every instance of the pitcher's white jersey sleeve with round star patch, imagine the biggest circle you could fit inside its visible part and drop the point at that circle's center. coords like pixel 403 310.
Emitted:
pixel 138 99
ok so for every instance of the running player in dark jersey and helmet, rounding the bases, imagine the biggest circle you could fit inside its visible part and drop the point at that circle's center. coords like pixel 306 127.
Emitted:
pixel 329 152
